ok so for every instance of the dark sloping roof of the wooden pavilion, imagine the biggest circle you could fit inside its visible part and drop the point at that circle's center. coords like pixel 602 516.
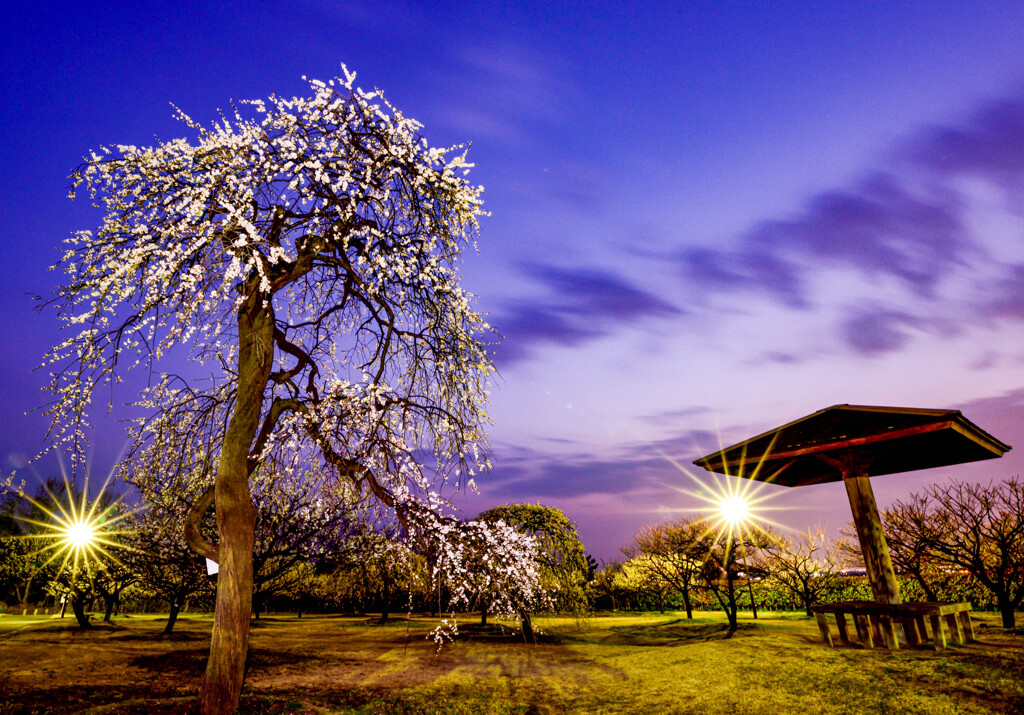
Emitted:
pixel 872 441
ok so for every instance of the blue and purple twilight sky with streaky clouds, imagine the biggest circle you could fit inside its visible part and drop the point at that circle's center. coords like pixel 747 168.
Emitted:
pixel 708 219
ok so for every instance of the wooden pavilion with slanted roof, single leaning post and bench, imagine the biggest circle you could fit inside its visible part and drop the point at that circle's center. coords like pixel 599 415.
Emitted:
pixel 851 444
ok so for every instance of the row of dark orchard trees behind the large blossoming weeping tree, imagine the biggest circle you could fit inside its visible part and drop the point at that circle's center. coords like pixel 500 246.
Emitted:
pixel 317 549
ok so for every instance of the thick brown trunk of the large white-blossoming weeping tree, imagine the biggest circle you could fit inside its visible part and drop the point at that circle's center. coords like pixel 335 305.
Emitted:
pixel 236 517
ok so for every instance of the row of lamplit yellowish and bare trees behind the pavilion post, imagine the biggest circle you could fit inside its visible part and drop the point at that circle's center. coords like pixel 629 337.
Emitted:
pixel 953 542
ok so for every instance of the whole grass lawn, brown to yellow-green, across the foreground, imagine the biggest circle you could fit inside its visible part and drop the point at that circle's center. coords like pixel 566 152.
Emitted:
pixel 631 663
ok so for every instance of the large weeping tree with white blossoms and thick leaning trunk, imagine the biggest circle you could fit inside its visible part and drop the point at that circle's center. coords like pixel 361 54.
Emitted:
pixel 307 258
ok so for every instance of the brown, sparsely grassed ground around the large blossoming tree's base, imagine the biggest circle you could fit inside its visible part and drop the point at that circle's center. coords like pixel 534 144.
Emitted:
pixel 130 667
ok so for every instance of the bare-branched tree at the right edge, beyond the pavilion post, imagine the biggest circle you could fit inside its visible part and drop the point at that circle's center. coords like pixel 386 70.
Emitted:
pixel 977 528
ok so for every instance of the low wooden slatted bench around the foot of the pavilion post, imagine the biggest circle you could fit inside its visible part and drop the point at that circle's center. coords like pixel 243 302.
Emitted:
pixel 878 622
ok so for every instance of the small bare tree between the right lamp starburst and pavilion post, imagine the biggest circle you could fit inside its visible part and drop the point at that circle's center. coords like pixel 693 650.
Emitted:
pixel 806 565
